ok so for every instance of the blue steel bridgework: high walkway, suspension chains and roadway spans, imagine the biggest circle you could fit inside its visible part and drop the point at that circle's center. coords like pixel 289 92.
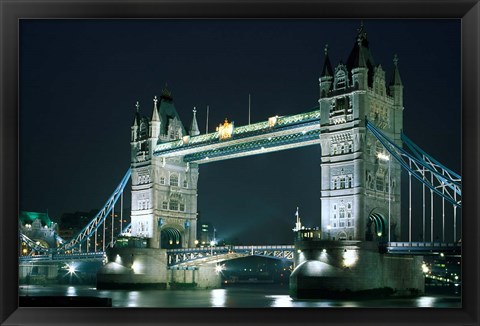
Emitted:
pixel 298 130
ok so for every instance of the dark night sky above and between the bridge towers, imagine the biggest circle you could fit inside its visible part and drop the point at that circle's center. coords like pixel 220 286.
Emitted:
pixel 80 79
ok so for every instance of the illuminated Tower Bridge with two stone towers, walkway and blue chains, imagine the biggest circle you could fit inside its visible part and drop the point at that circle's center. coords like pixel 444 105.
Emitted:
pixel 358 125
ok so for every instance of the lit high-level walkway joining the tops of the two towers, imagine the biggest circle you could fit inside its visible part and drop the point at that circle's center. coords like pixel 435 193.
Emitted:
pixel 277 133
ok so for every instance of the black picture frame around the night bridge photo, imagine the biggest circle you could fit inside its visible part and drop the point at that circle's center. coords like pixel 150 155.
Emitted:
pixel 11 11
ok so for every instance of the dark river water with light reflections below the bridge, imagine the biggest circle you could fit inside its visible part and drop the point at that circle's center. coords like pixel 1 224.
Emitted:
pixel 247 296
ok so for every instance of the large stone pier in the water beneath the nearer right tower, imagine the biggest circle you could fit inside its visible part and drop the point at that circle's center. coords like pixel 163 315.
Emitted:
pixel 346 269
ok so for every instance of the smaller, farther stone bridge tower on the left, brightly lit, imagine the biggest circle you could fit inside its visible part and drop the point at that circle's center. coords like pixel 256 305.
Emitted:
pixel 164 191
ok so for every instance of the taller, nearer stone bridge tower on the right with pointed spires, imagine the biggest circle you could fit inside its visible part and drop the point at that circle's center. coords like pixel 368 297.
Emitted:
pixel 360 183
